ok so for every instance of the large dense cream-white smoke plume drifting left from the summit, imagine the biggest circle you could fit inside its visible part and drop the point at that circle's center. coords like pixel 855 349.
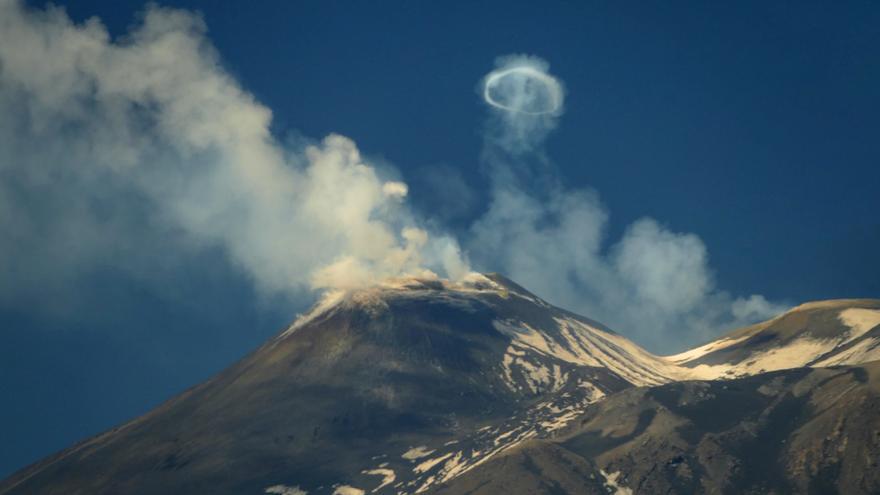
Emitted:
pixel 127 152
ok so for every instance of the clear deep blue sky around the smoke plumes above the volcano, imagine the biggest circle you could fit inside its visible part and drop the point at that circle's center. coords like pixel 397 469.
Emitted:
pixel 752 124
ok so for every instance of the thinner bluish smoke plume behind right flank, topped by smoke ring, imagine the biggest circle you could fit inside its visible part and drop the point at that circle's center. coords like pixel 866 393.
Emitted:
pixel 653 285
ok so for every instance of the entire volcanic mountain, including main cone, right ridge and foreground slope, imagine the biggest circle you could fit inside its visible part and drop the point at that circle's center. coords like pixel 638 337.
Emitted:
pixel 479 386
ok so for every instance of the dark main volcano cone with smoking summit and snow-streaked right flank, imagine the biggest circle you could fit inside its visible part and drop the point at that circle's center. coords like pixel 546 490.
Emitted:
pixel 395 388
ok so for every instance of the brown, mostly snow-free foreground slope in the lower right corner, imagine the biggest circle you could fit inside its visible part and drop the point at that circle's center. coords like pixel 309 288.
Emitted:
pixel 795 431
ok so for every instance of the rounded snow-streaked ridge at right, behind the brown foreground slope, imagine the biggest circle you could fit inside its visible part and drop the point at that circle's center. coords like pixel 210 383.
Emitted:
pixel 825 333
